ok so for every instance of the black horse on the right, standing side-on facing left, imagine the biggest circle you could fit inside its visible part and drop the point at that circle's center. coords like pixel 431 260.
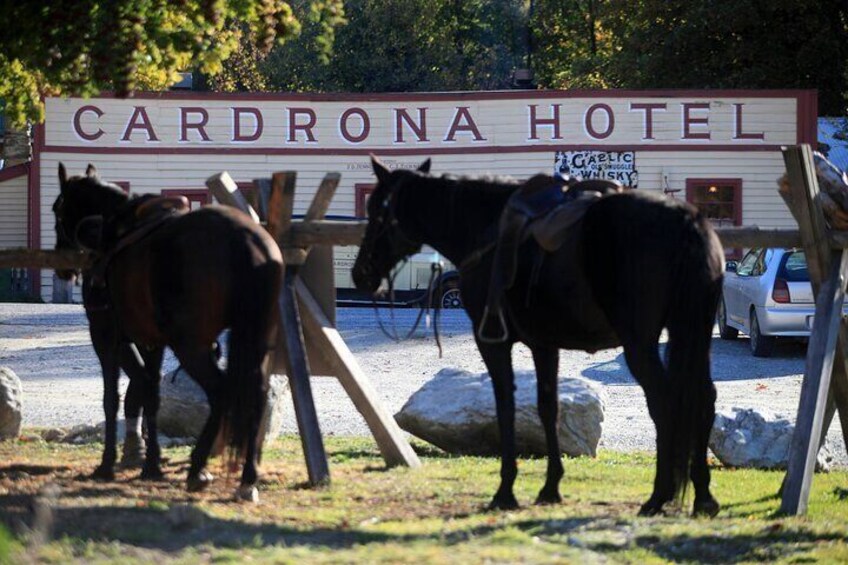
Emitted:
pixel 635 264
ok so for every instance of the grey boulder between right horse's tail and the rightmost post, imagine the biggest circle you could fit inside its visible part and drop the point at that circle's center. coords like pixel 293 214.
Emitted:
pixel 746 437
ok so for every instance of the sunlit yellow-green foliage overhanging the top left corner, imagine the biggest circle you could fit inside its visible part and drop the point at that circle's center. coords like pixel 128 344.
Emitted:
pixel 80 47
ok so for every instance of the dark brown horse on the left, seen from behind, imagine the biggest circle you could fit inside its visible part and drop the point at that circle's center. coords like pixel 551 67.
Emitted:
pixel 164 278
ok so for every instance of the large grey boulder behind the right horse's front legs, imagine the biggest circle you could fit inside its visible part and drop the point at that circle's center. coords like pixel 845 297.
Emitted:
pixel 455 411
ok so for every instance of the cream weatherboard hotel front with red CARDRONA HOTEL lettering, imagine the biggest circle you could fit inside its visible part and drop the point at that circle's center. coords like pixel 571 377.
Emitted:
pixel 177 140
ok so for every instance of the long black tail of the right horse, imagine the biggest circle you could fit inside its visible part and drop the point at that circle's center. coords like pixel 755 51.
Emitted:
pixel 696 283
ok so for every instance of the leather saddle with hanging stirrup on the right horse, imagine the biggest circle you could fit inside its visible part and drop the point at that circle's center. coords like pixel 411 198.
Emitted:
pixel 544 208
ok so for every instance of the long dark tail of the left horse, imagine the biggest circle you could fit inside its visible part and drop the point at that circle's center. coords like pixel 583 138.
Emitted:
pixel 250 339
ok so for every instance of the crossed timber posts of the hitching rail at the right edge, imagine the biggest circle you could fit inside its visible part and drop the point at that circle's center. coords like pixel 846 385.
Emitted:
pixel 828 272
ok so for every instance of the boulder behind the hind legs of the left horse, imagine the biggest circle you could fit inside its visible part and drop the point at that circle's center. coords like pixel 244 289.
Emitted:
pixel 183 409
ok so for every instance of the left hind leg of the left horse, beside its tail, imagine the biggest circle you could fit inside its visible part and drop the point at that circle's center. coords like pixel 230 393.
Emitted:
pixel 202 367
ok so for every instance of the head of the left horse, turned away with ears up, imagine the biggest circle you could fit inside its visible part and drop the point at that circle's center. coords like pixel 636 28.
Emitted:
pixel 80 209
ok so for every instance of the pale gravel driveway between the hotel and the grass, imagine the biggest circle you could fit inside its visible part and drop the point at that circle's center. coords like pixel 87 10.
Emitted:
pixel 49 349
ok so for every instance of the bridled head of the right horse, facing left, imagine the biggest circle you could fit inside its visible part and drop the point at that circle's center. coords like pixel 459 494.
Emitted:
pixel 385 243
